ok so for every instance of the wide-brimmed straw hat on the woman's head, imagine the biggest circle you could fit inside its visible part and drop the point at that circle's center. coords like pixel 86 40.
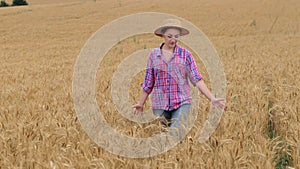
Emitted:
pixel 171 23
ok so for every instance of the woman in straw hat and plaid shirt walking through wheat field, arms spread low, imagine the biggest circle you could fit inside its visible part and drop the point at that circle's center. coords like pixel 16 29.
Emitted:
pixel 167 73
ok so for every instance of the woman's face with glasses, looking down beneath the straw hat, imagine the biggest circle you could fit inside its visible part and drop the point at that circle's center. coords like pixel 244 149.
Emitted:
pixel 171 37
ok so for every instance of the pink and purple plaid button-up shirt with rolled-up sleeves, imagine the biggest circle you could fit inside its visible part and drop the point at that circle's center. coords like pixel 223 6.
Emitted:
pixel 168 81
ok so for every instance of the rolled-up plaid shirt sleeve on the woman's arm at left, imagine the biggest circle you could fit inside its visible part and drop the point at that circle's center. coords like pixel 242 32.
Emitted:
pixel 148 84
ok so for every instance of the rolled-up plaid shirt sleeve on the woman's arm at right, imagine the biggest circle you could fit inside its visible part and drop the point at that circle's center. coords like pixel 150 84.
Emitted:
pixel 193 72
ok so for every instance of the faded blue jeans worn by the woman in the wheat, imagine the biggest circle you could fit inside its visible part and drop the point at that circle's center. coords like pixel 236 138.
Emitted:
pixel 174 118
